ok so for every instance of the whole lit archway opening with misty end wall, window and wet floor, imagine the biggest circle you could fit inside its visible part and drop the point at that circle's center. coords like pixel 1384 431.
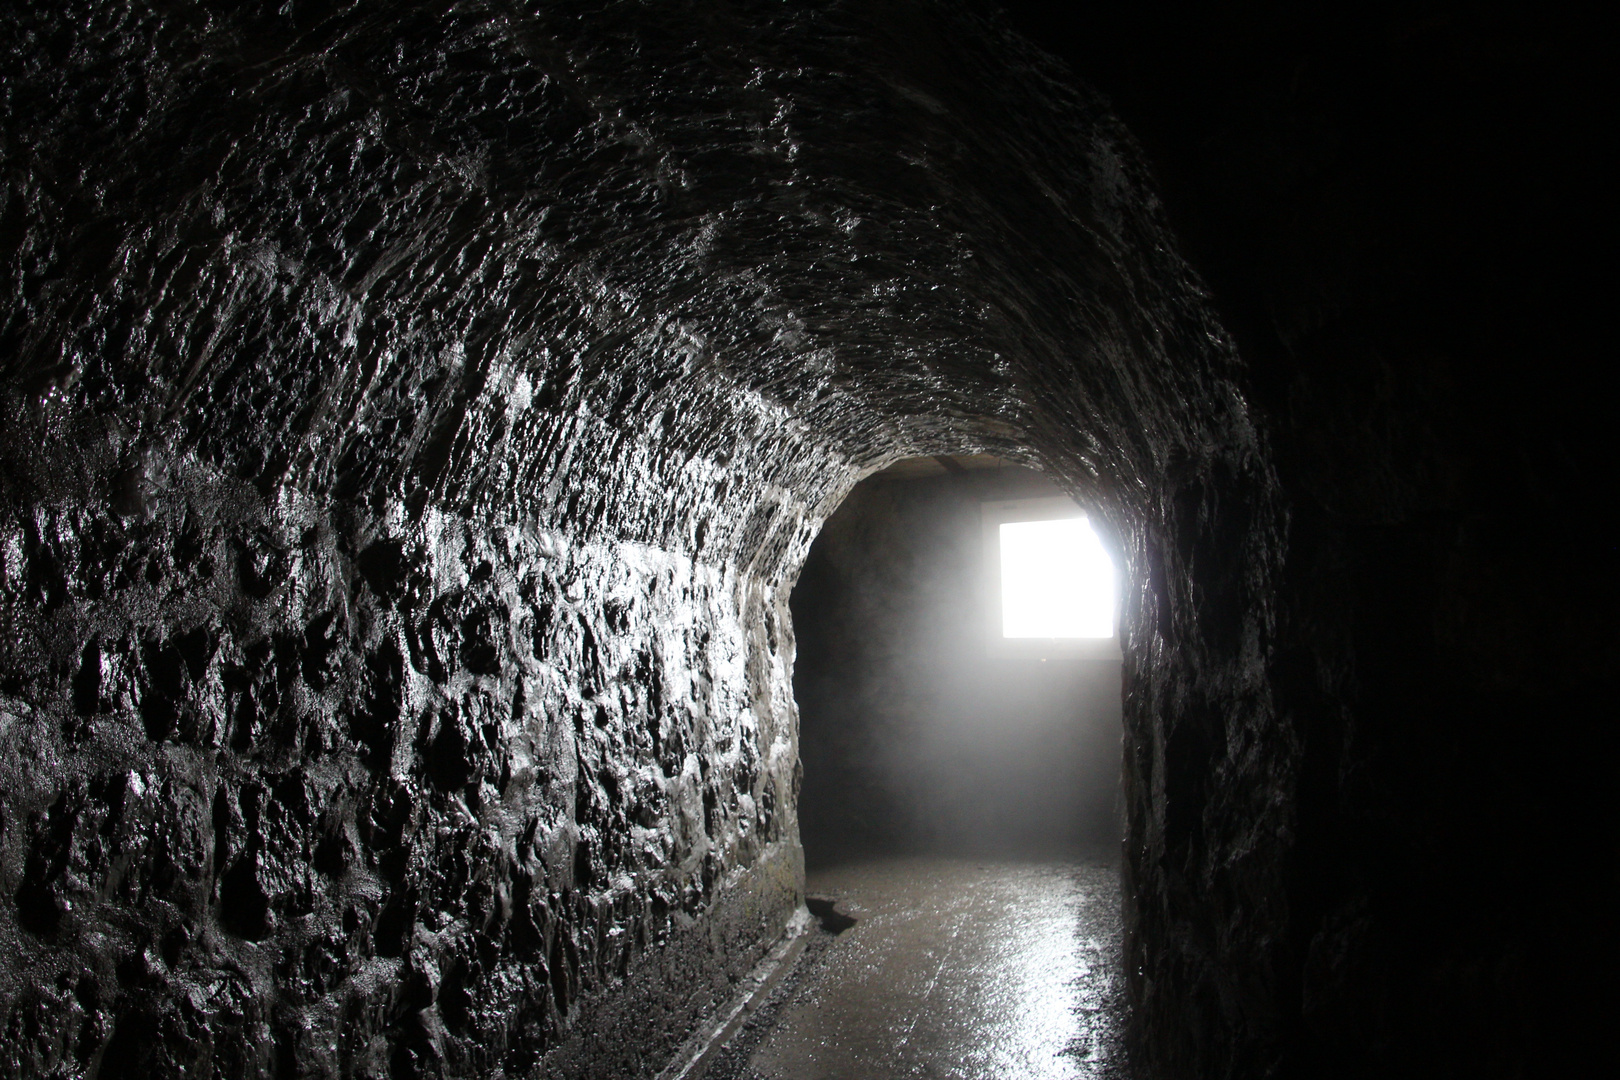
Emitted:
pixel 960 699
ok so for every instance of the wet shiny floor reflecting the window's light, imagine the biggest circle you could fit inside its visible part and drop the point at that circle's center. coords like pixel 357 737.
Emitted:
pixel 953 969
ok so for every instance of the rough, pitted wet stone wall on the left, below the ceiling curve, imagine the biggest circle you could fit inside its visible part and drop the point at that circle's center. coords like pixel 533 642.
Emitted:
pixel 416 802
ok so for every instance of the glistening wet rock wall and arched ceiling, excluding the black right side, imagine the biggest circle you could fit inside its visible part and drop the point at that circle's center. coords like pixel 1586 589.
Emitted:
pixel 414 419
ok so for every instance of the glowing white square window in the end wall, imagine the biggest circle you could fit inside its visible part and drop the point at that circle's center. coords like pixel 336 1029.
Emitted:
pixel 1057 580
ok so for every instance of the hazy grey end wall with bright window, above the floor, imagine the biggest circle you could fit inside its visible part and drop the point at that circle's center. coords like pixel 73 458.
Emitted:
pixel 924 728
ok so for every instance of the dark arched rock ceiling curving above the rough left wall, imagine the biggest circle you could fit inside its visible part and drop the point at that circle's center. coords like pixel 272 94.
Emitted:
pixel 592 261
